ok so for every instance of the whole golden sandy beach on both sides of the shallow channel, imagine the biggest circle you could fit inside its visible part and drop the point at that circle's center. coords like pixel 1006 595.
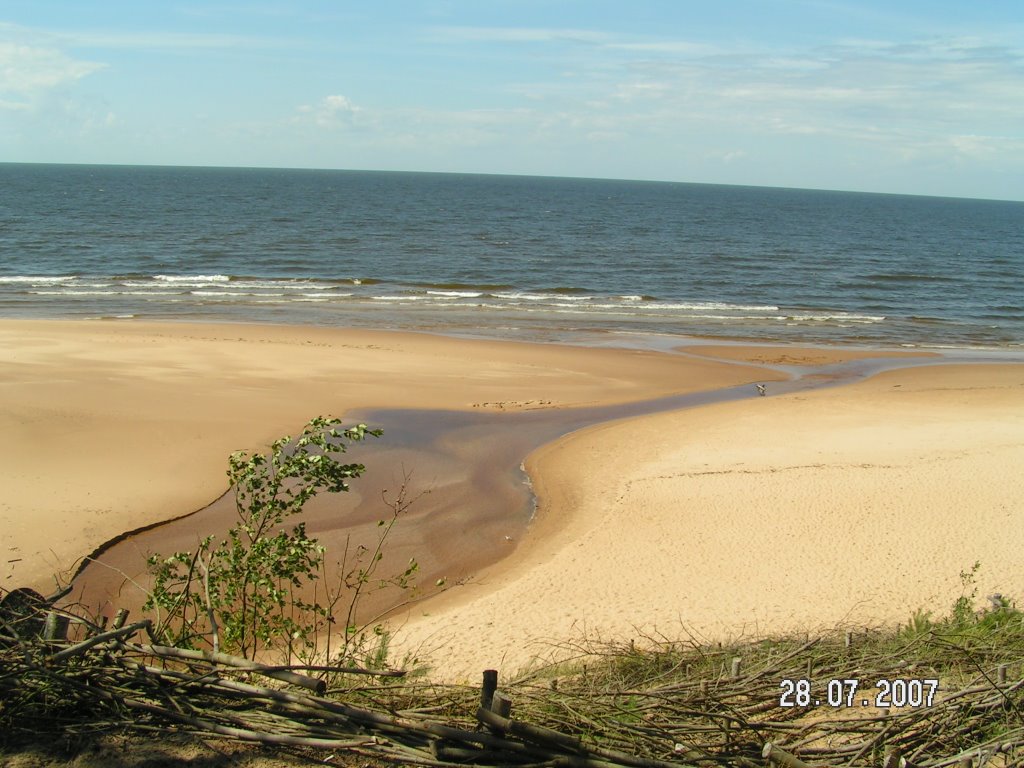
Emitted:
pixel 852 504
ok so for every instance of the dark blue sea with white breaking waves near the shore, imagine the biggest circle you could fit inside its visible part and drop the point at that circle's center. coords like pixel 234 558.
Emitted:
pixel 506 257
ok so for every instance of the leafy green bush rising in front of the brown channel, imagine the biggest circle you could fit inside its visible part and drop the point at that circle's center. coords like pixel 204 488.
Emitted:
pixel 243 594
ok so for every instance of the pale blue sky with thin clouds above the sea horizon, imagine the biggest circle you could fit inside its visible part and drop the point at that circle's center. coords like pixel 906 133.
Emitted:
pixel 918 98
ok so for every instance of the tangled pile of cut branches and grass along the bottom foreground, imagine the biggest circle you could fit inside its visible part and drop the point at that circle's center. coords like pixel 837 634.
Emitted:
pixel 670 705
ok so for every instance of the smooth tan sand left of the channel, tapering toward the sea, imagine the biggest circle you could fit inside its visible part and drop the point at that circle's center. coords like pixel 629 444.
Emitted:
pixel 111 426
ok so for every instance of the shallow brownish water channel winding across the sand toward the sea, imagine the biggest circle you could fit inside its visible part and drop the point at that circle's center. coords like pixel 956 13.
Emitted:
pixel 471 500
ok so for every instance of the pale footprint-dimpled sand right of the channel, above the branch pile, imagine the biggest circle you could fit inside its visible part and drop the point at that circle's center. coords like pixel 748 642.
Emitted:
pixel 851 505
